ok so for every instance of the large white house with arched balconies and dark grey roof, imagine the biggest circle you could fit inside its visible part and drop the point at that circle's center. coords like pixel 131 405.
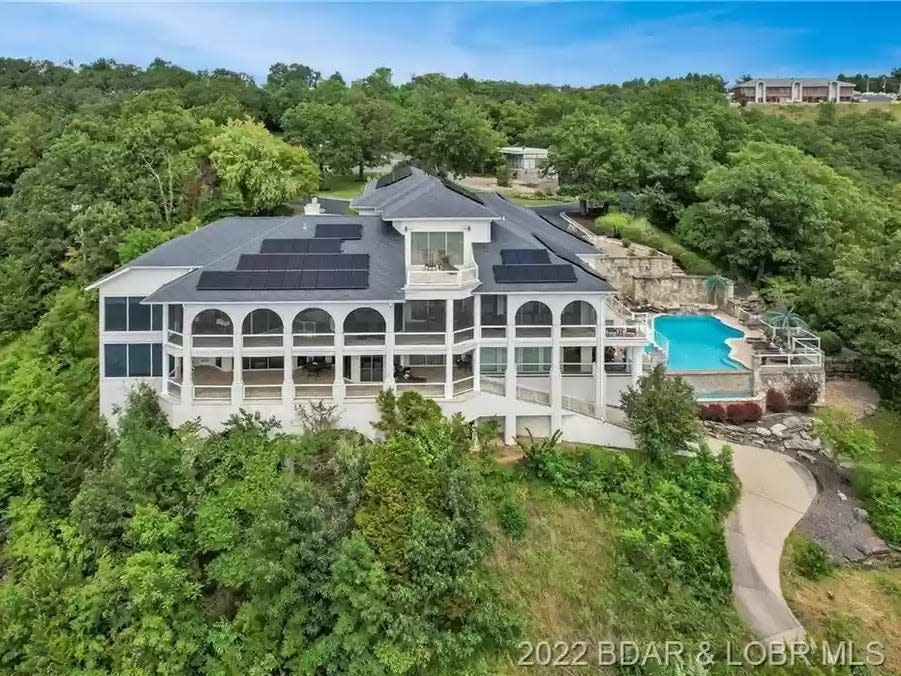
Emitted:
pixel 473 301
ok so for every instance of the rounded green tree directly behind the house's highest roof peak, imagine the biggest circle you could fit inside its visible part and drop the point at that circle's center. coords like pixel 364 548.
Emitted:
pixel 447 136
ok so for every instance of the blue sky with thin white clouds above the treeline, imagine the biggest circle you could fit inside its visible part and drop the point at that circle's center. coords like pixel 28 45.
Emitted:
pixel 576 43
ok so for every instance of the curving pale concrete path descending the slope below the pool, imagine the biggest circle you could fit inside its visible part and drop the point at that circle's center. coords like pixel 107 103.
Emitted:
pixel 775 493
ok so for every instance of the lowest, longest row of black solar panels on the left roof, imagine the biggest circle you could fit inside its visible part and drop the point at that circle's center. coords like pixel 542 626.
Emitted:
pixel 235 280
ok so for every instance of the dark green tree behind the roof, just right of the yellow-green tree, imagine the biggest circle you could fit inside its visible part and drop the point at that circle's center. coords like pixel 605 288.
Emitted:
pixel 332 133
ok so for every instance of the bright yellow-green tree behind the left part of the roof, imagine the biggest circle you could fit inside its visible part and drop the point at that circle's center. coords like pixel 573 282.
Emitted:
pixel 265 171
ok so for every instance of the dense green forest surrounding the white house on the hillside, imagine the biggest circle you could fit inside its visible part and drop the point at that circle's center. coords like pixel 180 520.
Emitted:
pixel 147 550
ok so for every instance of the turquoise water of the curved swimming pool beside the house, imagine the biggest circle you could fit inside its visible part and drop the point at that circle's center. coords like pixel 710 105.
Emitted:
pixel 697 342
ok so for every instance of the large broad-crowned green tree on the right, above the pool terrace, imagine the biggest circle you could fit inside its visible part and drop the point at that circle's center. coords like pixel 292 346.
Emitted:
pixel 774 210
